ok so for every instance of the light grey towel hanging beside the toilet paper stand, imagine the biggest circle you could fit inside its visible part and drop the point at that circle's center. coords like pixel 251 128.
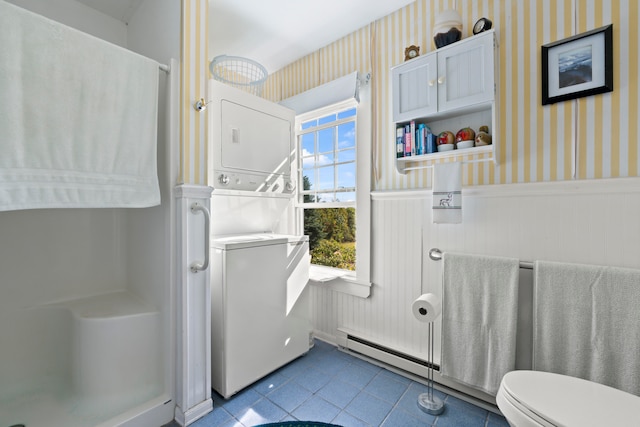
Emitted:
pixel 479 318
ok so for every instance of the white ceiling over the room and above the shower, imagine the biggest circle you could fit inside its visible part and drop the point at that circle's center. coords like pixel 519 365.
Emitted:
pixel 274 33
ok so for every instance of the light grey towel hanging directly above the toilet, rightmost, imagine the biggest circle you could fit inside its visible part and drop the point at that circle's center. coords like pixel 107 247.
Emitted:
pixel 586 323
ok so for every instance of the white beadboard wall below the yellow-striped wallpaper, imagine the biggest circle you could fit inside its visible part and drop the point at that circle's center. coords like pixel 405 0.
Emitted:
pixel 590 222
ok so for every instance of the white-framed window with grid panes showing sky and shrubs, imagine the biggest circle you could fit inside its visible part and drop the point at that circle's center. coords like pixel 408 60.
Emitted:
pixel 334 181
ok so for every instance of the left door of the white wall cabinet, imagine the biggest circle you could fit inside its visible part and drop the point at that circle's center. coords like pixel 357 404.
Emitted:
pixel 415 89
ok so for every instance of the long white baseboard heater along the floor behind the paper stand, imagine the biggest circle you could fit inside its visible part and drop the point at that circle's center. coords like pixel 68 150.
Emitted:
pixel 410 366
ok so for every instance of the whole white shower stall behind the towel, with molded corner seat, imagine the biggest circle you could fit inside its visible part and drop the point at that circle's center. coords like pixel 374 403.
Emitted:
pixel 87 295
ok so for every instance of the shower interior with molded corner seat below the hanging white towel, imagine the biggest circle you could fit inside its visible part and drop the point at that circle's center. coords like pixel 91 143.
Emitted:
pixel 81 315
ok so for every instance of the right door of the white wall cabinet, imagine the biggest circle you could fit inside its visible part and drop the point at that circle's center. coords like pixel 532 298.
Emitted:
pixel 466 73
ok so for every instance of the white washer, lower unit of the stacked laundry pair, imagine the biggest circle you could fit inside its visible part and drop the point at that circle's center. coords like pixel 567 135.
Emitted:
pixel 260 310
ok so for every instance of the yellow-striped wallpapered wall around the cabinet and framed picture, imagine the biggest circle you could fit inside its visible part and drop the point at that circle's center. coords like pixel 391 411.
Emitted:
pixel 589 138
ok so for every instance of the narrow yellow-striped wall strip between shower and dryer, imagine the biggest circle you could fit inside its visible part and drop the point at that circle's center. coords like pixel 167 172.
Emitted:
pixel 193 75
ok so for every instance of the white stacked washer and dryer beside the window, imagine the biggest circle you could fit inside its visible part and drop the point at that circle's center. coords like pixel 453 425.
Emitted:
pixel 260 309
